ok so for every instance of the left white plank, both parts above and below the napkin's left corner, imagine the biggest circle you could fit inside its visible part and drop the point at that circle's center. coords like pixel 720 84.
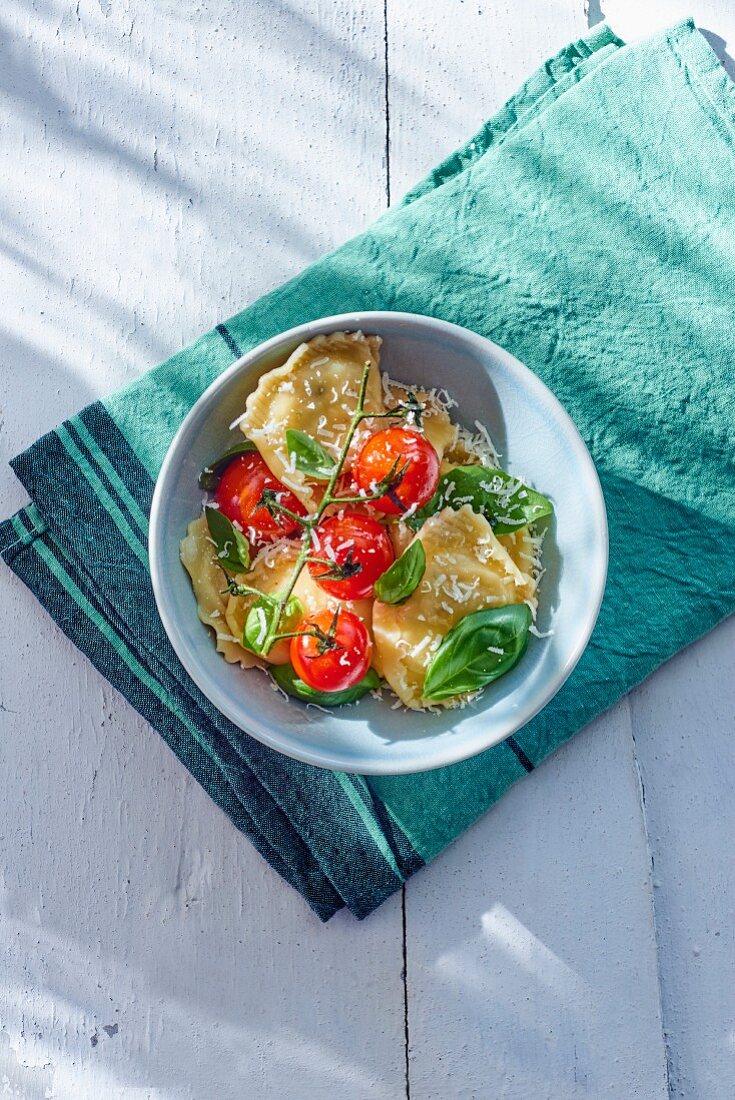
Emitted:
pixel 160 169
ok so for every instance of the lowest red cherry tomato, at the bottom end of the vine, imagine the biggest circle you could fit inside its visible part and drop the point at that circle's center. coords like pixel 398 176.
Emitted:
pixel 335 657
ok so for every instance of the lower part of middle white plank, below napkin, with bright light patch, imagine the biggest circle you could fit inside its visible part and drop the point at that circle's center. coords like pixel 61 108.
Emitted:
pixel 532 954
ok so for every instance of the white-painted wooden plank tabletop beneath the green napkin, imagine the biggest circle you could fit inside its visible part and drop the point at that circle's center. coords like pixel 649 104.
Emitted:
pixel 162 164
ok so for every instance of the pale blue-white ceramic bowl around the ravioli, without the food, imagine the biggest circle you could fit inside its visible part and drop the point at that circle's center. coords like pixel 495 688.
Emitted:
pixel 537 441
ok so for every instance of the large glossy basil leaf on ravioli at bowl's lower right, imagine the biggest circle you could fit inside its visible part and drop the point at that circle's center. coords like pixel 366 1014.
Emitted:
pixel 478 650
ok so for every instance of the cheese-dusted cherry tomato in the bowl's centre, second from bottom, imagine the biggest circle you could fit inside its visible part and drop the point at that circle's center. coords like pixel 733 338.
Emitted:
pixel 354 552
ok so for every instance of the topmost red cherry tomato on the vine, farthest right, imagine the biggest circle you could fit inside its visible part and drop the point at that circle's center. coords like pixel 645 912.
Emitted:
pixel 407 457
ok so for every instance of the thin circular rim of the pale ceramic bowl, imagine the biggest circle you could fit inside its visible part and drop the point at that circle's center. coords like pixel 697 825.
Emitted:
pixel 371 321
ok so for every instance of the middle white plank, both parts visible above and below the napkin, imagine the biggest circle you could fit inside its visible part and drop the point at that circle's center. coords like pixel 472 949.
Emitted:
pixel 531 934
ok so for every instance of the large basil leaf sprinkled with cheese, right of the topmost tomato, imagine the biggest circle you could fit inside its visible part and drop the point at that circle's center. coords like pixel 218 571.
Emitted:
pixel 506 502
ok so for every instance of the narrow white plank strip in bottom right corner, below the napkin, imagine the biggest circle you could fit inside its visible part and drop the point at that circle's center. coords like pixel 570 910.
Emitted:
pixel 684 721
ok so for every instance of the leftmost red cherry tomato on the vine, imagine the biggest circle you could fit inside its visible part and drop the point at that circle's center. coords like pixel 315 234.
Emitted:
pixel 240 491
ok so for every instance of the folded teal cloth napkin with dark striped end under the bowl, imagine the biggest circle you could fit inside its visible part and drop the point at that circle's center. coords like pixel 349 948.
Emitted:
pixel 590 229
